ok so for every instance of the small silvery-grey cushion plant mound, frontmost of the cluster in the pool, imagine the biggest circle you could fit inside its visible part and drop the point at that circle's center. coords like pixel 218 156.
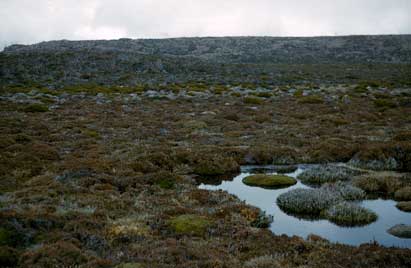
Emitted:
pixel 350 214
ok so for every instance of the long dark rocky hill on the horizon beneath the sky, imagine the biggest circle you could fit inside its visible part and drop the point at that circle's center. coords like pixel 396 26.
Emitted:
pixel 215 59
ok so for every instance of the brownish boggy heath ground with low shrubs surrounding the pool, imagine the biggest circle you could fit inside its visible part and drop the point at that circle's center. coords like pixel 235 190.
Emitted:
pixel 111 180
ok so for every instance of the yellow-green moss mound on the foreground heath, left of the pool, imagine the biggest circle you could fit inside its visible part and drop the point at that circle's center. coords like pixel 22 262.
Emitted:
pixel 190 224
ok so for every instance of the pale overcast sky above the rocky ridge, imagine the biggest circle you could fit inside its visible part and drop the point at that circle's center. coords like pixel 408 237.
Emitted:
pixel 31 21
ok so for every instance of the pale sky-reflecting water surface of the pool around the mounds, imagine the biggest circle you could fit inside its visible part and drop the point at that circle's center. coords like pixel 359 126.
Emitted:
pixel 265 199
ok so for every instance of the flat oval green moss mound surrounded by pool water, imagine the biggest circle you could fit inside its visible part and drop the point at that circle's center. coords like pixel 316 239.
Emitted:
pixel 269 181
